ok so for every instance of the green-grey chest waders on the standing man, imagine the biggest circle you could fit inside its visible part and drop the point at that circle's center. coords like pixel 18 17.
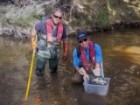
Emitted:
pixel 47 52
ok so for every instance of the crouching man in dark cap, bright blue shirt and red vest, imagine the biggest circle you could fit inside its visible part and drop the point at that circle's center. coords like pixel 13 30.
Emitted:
pixel 87 58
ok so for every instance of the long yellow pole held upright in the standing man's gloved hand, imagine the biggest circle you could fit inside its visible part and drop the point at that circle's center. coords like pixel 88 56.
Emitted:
pixel 30 73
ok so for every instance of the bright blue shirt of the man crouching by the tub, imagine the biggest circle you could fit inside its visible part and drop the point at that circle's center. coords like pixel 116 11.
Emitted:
pixel 98 56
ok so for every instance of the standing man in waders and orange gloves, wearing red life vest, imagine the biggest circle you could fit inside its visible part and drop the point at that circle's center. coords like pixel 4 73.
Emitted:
pixel 50 33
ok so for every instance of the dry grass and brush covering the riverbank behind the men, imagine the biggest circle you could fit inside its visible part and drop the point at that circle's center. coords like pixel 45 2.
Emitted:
pixel 19 16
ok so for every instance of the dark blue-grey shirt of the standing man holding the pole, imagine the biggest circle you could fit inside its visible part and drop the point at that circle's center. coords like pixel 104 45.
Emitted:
pixel 41 26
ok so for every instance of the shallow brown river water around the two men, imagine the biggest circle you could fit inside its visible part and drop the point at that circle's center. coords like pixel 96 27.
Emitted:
pixel 121 51
